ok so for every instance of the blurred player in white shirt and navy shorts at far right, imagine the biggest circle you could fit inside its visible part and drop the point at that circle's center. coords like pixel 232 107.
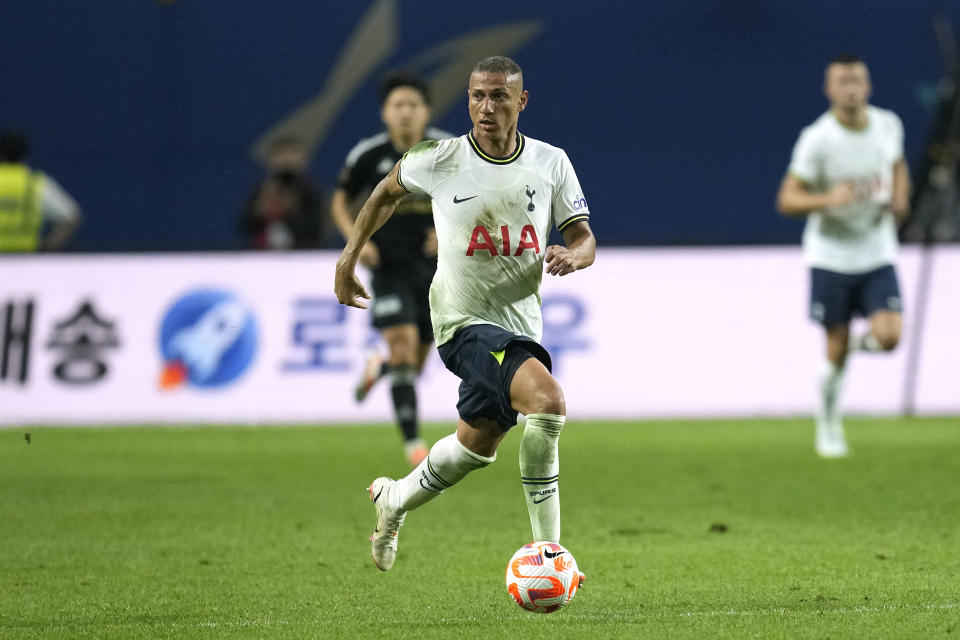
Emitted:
pixel 848 177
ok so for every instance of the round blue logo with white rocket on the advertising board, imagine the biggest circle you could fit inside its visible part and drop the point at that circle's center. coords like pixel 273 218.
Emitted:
pixel 208 339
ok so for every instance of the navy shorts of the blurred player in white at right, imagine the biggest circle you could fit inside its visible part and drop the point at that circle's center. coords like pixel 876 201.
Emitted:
pixel 835 298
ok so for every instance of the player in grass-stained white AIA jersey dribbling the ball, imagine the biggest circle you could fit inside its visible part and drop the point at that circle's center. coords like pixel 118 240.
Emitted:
pixel 496 194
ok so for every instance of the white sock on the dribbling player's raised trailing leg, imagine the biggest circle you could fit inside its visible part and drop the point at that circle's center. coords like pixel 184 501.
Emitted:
pixel 447 464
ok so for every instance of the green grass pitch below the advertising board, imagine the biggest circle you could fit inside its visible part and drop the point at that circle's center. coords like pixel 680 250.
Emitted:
pixel 684 529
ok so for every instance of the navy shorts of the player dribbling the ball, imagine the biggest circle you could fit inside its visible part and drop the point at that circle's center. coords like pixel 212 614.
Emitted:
pixel 485 358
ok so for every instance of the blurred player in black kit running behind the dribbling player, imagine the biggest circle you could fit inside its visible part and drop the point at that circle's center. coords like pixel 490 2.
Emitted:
pixel 402 254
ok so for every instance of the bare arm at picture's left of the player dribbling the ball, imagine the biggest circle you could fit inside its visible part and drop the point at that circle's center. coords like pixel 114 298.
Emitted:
pixel 375 211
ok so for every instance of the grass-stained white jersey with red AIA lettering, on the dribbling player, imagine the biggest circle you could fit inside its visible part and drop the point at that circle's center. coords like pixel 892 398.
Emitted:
pixel 493 217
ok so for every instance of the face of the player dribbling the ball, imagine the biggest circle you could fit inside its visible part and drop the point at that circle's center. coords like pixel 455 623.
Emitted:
pixel 495 103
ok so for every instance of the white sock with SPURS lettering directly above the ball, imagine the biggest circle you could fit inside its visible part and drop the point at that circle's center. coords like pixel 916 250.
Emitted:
pixel 540 473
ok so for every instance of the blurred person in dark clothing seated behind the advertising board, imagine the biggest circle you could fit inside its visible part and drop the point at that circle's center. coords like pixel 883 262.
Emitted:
pixel 286 209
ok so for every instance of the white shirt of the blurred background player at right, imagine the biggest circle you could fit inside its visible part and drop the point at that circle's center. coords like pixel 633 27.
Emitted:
pixel 861 236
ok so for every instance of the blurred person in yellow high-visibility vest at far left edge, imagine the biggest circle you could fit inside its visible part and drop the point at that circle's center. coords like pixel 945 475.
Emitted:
pixel 36 214
